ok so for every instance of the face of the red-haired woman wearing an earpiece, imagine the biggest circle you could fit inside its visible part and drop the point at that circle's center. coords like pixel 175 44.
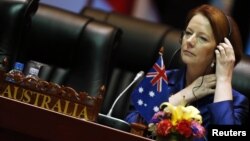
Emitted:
pixel 198 42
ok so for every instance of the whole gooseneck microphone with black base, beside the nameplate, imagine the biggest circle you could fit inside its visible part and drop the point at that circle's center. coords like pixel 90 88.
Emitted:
pixel 115 122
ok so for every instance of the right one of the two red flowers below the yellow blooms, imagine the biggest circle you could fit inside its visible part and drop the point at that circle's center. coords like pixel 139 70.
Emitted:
pixel 184 128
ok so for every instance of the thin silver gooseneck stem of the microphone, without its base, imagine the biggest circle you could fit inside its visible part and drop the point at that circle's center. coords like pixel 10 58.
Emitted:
pixel 138 75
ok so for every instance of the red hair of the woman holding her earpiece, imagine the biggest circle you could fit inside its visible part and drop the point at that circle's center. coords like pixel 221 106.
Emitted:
pixel 222 26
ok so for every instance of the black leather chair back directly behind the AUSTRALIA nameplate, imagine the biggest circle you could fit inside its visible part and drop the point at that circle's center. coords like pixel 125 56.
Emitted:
pixel 71 50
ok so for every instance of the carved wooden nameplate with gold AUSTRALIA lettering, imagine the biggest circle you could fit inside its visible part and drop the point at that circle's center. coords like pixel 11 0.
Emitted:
pixel 52 97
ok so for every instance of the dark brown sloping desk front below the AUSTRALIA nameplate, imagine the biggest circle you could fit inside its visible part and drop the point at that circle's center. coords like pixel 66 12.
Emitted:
pixel 21 121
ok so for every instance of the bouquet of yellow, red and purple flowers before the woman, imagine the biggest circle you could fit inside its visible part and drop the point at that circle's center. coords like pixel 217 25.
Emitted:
pixel 181 120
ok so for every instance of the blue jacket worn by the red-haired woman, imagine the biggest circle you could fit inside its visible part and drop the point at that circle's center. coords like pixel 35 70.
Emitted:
pixel 230 112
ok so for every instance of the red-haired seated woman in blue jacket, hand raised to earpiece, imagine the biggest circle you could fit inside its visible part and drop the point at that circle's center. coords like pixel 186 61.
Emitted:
pixel 211 47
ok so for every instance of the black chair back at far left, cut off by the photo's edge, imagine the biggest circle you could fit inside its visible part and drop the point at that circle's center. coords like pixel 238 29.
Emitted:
pixel 15 21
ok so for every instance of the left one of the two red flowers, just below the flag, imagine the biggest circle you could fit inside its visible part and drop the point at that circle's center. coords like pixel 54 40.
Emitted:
pixel 164 127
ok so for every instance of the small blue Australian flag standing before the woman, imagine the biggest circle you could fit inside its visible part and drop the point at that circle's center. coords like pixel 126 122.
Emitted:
pixel 151 91
